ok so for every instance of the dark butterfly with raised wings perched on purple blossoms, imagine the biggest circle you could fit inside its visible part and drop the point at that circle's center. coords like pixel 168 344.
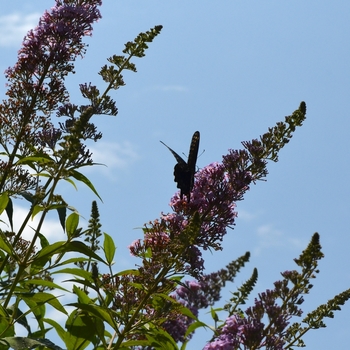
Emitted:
pixel 184 171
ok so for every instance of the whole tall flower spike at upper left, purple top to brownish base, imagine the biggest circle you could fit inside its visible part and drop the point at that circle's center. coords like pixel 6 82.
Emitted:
pixel 36 86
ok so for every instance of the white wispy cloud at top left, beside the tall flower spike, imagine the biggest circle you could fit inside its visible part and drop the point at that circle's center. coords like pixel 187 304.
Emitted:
pixel 13 27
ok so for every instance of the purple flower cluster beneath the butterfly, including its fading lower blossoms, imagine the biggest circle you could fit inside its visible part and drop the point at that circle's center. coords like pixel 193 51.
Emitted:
pixel 215 191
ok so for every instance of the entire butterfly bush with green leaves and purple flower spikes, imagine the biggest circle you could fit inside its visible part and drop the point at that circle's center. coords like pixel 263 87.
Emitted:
pixel 152 306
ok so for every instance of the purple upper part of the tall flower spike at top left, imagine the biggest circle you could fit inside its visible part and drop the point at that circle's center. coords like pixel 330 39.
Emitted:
pixel 48 50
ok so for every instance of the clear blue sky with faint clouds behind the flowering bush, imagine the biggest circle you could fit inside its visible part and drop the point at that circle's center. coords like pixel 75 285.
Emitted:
pixel 229 69
